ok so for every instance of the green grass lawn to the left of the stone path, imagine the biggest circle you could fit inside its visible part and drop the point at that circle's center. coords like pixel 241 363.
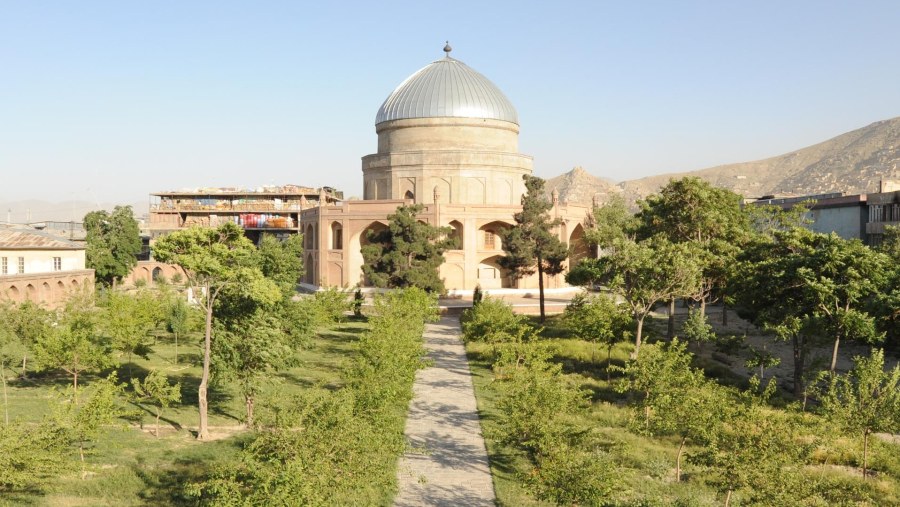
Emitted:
pixel 129 465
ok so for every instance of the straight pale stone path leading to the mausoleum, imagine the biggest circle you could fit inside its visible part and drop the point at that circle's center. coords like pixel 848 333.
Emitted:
pixel 448 463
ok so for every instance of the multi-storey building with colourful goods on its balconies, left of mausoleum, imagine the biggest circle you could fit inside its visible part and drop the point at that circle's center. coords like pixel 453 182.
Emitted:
pixel 267 209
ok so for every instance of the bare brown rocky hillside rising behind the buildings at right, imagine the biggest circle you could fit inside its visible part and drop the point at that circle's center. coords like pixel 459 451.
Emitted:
pixel 851 163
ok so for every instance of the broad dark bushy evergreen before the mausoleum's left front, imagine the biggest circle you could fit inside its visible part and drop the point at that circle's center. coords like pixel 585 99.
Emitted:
pixel 407 253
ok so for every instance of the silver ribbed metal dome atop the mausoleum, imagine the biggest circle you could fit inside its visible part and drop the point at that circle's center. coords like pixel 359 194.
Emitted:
pixel 447 88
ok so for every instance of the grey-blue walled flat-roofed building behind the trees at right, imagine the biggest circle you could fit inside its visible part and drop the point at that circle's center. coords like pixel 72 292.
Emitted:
pixel 845 215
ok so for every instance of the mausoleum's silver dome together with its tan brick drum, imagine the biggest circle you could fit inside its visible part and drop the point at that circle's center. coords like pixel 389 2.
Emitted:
pixel 447 135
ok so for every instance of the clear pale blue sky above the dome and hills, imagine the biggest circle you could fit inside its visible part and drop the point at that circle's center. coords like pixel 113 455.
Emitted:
pixel 110 101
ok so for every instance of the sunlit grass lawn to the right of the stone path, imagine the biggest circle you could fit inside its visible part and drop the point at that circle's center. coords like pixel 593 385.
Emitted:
pixel 645 465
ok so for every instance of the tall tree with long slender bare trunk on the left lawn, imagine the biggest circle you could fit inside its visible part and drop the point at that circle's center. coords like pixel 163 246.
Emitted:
pixel 213 259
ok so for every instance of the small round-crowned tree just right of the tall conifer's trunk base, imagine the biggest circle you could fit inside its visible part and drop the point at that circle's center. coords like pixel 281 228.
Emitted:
pixel 597 319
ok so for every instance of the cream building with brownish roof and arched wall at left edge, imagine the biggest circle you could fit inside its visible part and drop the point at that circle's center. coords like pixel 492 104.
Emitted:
pixel 40 267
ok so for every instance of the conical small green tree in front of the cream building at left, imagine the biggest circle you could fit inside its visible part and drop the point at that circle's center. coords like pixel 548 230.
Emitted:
pixel 75 345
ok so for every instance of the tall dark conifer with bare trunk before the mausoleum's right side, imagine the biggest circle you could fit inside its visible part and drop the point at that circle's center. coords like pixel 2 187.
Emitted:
pixel 531 245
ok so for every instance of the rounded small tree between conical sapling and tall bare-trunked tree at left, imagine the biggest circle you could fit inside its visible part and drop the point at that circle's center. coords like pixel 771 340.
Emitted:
pixel 128 320
